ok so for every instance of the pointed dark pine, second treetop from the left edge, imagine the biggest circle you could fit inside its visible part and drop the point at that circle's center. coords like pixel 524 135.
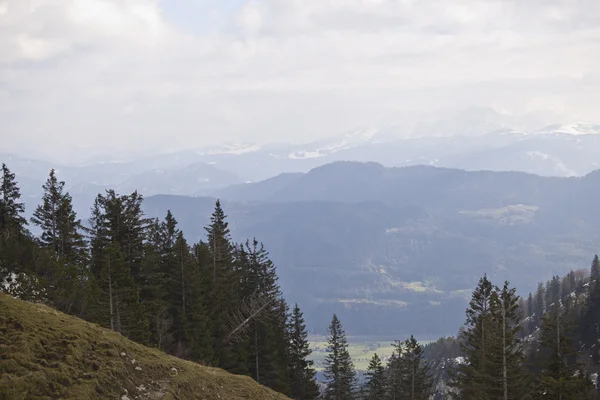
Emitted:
pixel 59 223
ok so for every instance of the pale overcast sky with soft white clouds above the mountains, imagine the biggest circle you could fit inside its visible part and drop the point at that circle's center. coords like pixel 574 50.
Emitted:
pixel 154 74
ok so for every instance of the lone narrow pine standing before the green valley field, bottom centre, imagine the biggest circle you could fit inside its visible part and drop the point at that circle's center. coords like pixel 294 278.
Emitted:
pixel 339 369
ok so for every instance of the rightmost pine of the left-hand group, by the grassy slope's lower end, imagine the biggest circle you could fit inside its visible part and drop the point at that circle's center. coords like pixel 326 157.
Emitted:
pixel 302 374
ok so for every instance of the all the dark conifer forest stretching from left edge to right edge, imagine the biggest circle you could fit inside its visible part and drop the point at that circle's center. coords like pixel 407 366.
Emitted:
pixel 218 303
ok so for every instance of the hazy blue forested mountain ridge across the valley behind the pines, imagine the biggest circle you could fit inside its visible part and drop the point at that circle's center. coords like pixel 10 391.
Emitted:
pixel 386 245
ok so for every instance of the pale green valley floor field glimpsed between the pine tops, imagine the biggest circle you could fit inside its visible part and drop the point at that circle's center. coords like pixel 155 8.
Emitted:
pixel 361 350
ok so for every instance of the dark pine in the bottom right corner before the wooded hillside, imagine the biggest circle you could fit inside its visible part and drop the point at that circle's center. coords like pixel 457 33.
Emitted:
pixel 561 377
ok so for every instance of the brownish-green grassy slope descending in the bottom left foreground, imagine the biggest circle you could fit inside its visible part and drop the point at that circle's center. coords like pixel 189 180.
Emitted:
pixel 45 354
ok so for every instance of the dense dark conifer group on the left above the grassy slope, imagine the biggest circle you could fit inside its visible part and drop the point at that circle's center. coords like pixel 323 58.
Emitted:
pixel 215 302
